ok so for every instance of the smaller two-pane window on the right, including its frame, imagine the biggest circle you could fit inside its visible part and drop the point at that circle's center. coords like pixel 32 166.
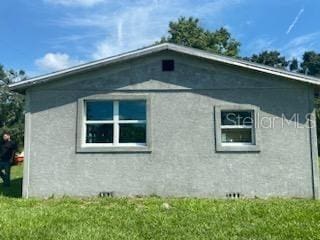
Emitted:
pixel 235 128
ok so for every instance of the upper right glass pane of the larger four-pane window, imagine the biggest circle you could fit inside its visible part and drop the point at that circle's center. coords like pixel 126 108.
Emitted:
pixel 132 110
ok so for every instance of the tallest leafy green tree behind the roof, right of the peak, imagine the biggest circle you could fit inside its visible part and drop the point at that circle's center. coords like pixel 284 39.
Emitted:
pixel 188 32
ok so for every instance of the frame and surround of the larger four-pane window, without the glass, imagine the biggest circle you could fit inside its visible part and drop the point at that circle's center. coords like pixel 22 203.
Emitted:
pixel 116 146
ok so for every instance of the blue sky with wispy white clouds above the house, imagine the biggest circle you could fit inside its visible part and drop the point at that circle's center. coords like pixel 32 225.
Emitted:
pixel 41 36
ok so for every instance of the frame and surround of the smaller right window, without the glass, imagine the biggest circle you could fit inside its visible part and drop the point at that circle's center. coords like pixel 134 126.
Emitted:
pixel 253 146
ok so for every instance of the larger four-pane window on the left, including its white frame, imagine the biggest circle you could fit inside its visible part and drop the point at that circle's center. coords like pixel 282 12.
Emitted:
pixel 113 125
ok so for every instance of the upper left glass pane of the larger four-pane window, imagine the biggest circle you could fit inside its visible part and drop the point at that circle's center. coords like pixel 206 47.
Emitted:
pixel 99 110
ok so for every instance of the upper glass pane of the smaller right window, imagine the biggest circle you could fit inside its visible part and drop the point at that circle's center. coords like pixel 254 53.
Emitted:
pixel 236 118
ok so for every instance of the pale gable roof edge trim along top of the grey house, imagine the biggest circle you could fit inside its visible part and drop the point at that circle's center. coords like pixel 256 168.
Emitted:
pixel 22 85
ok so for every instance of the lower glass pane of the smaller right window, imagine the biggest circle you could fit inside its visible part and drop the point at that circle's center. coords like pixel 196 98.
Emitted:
pixel 236 135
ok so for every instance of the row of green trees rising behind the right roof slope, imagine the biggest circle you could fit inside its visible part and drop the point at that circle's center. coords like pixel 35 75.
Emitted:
pixel 188 32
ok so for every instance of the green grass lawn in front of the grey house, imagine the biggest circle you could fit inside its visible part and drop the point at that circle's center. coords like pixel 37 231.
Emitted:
pixel 147 218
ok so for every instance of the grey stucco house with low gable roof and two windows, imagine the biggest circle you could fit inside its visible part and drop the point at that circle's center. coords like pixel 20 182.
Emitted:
pixel 171 121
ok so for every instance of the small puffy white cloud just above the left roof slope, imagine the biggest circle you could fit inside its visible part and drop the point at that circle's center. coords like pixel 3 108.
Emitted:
pixel 56 61
